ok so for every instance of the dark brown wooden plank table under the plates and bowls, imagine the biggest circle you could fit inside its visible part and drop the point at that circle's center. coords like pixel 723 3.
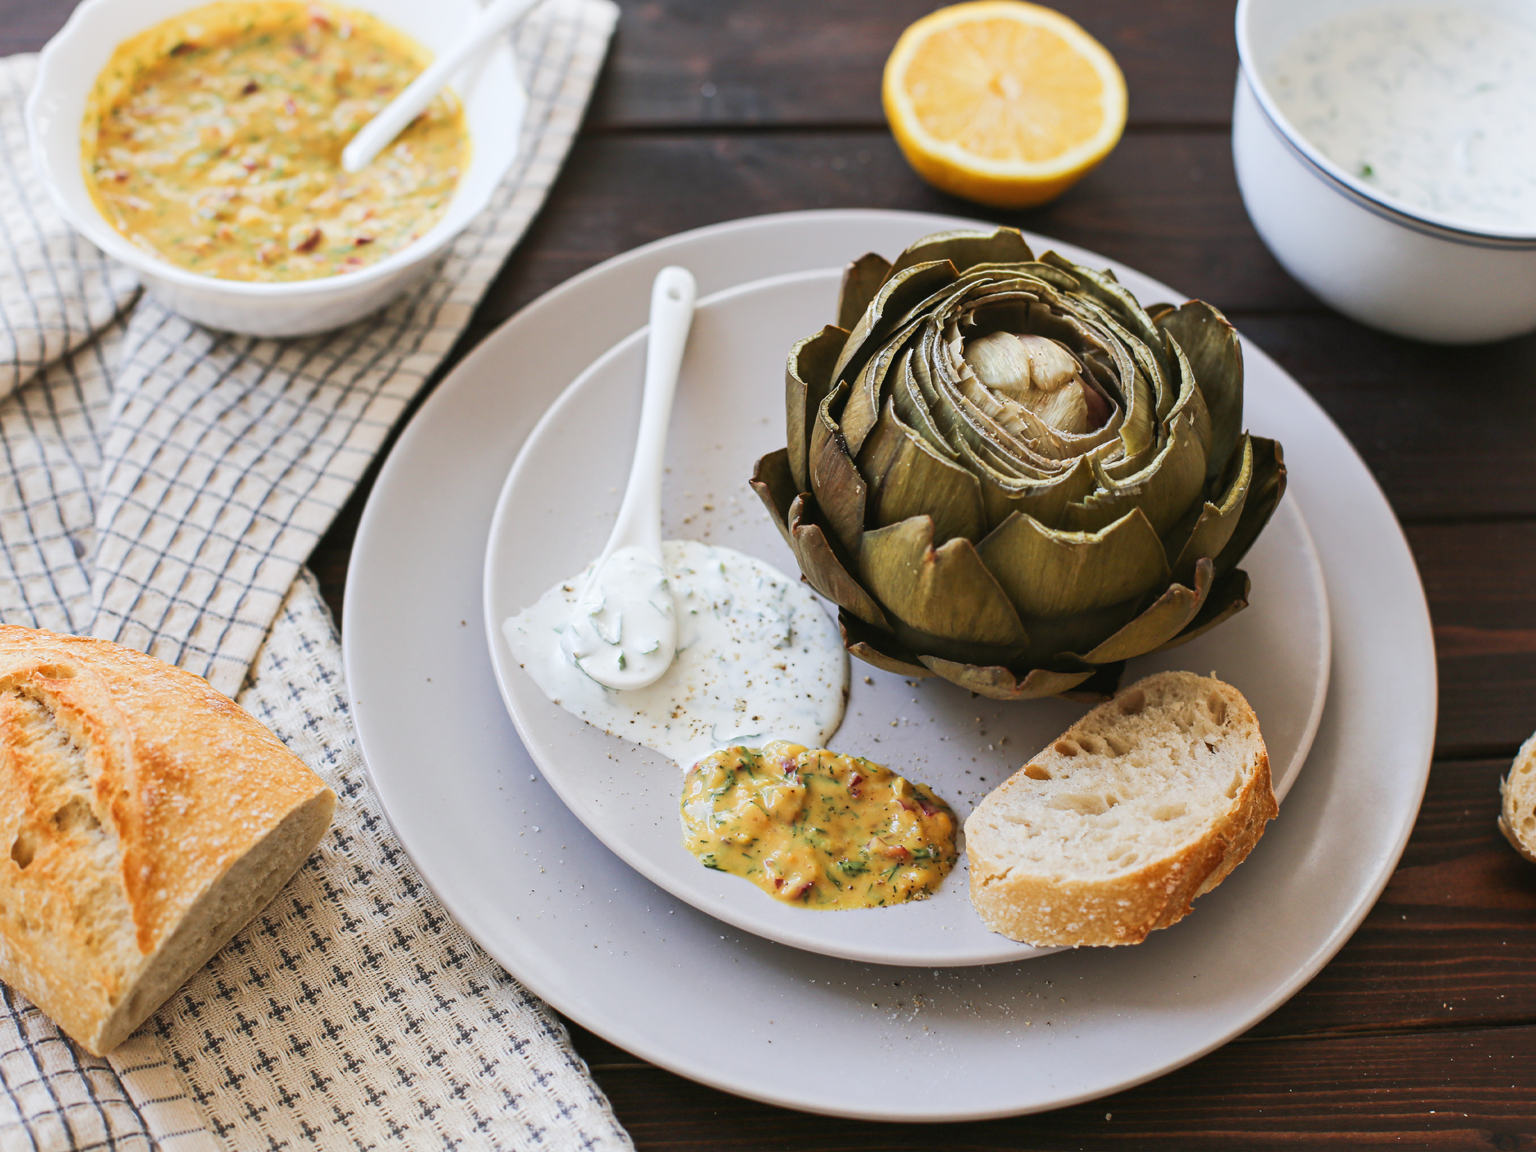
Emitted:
pixel 1423 1031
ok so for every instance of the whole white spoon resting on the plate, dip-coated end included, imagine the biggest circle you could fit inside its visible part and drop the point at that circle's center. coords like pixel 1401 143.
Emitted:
pixel 624 629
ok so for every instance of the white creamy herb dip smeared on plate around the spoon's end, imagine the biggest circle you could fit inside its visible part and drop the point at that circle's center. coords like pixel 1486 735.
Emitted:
pixel 758 658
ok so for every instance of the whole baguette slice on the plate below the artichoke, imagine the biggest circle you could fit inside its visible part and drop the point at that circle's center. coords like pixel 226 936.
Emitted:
pixel 1136 810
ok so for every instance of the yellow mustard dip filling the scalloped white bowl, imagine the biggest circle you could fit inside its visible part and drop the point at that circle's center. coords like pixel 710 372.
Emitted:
pixel 214 141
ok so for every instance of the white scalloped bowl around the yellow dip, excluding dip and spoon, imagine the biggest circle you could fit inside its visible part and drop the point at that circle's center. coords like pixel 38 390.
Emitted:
pixel 494 104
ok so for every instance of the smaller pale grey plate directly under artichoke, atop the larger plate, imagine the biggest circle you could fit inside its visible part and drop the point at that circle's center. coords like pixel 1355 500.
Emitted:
pixel 555 514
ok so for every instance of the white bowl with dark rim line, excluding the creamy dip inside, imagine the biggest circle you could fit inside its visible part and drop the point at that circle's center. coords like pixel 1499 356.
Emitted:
pixel 1372 257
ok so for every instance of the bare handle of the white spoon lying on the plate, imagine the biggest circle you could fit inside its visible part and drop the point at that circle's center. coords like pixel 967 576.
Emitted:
pixel 672 316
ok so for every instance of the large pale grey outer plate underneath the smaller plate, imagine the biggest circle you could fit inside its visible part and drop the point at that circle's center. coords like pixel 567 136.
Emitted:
pixel 655 976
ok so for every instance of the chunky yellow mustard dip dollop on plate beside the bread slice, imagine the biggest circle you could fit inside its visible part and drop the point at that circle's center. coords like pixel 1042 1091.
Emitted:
pixel 816 829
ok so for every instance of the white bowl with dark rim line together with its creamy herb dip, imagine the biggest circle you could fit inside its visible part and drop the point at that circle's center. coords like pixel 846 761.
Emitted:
pixel 1386 177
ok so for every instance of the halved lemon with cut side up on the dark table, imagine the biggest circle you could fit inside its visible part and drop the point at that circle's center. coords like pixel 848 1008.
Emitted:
pixel 1002 102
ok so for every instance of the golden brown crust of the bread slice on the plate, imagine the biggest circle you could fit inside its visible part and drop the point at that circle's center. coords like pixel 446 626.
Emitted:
pixel 1124 909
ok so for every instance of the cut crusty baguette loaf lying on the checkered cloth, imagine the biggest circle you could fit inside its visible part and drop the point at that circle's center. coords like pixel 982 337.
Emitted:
pixel 144 819
